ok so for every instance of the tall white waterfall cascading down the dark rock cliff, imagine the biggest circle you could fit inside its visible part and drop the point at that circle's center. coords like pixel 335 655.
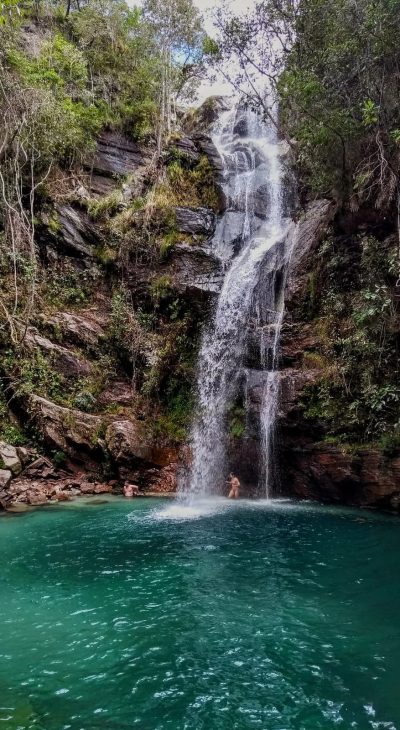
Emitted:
pixel 251 231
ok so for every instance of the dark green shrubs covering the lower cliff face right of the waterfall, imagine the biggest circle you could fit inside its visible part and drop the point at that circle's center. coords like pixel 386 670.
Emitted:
pixel 357 397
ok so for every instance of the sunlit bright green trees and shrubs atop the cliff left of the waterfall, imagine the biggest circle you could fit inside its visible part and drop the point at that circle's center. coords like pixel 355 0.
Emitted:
pixel 91 65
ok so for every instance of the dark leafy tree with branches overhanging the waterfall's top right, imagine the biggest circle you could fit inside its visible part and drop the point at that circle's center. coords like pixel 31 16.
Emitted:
pixel 335 68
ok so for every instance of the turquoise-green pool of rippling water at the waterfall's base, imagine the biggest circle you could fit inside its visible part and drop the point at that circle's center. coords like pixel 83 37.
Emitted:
pixel 144 615
